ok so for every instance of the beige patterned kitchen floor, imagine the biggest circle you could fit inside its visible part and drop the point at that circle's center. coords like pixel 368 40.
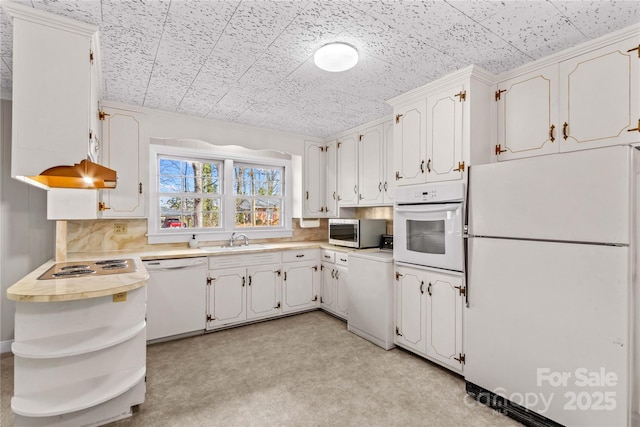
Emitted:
pixel 304 370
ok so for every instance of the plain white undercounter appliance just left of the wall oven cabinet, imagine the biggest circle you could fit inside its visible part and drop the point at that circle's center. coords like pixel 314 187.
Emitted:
pixel 371 296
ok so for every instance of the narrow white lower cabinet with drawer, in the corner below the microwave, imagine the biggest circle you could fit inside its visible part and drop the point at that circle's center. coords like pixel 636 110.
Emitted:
pixel 335 293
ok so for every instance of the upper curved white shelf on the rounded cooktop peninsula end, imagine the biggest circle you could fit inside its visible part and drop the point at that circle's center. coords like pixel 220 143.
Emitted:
pixel 76 343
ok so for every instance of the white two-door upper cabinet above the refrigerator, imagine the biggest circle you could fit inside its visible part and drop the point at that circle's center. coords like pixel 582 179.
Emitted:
pixel 585 97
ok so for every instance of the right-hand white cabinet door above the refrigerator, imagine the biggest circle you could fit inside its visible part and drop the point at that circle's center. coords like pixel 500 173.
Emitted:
pixel 599 97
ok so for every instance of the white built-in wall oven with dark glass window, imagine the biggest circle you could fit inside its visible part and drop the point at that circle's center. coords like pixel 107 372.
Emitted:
pixel 428 225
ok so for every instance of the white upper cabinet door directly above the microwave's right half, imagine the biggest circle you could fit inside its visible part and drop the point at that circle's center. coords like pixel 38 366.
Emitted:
pixel 370 165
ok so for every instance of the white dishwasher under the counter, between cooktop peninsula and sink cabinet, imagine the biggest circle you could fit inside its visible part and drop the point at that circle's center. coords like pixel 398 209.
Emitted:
pixel 176 297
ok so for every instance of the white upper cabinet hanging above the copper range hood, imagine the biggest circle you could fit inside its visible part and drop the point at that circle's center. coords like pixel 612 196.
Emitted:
pixel 52 90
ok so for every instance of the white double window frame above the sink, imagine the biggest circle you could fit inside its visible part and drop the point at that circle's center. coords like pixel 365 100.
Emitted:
pixel 228 156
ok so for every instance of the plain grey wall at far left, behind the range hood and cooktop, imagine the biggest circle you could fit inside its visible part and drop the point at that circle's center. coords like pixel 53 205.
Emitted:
pixel 27 239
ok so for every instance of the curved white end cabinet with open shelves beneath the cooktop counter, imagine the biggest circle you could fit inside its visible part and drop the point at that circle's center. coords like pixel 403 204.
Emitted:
pixel 79 362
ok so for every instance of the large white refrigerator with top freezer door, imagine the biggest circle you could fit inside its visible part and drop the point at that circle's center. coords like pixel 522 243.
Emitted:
pixel 551 288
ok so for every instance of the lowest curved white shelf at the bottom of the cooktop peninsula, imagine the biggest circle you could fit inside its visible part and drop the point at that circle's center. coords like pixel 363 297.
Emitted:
pixel 72 397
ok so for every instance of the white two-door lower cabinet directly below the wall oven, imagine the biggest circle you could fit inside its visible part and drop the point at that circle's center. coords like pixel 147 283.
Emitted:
pixel 429 308
